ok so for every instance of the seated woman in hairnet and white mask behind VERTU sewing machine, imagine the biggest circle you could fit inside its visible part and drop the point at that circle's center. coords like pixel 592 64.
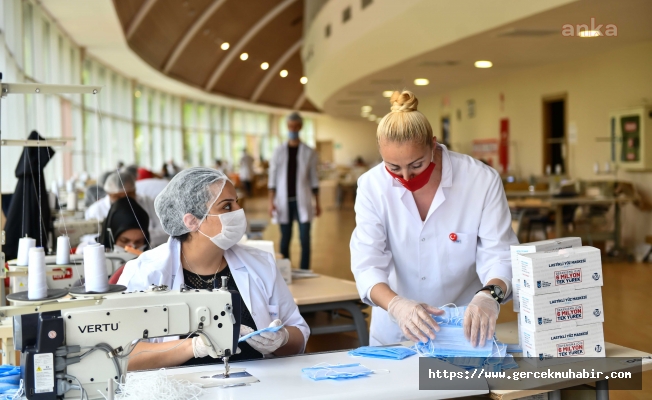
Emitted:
pixel 199 210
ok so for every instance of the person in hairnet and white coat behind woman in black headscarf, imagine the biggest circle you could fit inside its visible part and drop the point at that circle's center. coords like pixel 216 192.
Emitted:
pixel 119 185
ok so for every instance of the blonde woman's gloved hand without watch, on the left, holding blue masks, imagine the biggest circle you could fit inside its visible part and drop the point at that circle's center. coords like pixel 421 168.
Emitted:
pixel 414 318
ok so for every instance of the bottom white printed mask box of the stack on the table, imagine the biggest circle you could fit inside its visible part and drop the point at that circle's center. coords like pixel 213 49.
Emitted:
pixel 561 346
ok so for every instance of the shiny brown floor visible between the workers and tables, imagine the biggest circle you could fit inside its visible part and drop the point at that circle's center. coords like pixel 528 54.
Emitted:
pixel 627 291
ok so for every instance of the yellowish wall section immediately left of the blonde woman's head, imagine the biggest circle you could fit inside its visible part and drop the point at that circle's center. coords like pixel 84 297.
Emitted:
pixel 351 138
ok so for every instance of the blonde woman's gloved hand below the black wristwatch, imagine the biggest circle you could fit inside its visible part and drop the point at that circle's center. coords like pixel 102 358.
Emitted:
pixel 480 318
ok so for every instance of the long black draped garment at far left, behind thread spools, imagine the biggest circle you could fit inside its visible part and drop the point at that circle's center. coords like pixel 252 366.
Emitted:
pixel 25 213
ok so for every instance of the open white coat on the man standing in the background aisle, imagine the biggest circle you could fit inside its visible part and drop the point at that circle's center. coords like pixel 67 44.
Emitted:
pixel 307 180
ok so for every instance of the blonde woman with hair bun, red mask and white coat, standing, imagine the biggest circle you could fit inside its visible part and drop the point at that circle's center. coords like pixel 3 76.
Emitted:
pixel 432 227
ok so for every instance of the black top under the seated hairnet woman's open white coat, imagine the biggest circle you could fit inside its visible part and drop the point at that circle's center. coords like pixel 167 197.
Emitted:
pixel 246 351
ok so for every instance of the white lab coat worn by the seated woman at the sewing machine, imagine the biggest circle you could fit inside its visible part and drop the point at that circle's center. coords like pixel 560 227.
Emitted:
pixel 261 286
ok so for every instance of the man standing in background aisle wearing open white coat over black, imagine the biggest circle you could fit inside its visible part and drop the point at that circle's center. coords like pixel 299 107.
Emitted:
pixel 293 182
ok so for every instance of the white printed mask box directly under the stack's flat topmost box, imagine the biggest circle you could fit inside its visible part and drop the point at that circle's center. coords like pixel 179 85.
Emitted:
pixel 560 270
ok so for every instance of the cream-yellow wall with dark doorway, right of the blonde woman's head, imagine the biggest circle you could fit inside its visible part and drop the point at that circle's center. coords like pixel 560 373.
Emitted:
pixel 594 86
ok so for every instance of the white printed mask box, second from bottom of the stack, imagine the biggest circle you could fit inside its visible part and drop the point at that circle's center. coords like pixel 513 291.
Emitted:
pixel 556 310
